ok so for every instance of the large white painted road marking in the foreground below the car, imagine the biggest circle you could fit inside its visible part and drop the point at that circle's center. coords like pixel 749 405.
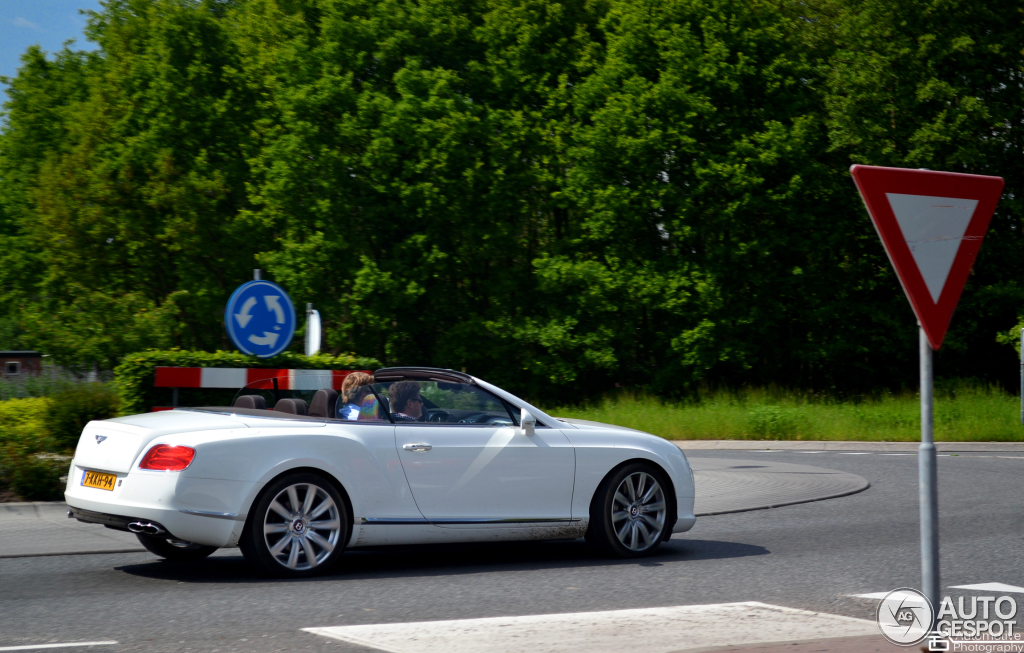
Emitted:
pixel 664 631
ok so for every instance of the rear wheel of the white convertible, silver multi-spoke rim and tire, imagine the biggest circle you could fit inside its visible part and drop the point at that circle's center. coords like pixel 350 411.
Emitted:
pixel 282 547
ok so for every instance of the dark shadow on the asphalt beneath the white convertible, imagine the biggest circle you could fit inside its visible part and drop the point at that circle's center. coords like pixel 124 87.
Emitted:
pixel 436 560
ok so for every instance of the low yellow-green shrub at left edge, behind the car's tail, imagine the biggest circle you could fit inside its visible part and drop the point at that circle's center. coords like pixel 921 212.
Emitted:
pixel 32 463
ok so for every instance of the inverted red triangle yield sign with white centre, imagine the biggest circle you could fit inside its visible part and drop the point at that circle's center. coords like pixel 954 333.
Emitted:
pixel 932 226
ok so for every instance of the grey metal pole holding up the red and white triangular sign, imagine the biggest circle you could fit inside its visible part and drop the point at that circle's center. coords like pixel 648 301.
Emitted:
pixel 928 483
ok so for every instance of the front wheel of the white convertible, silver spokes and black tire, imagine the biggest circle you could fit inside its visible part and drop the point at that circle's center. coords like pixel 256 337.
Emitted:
pixel 647 524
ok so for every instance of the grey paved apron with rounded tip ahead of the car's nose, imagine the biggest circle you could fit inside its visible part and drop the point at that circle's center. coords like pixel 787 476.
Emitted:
pixel 730 486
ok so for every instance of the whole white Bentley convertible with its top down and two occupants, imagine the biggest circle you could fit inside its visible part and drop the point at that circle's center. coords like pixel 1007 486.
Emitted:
pixel 408 456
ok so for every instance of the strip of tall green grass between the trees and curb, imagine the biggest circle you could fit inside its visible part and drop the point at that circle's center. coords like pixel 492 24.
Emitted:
pixel 963 414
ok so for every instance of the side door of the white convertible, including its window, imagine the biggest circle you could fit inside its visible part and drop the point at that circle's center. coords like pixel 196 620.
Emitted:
pixel 467 462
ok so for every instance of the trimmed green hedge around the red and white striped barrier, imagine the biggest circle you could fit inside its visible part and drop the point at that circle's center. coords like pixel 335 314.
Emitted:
pixel 136 376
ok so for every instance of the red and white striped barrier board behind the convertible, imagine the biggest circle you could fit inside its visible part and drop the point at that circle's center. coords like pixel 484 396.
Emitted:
pixel 236 378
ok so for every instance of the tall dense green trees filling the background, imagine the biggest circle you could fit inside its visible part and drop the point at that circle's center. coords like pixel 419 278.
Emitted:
pixel 559 197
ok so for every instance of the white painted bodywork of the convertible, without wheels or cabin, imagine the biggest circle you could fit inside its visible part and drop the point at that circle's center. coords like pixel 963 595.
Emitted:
pixel 499 483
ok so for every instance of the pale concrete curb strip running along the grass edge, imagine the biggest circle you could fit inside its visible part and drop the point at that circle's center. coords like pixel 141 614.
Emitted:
pixel 843 446
